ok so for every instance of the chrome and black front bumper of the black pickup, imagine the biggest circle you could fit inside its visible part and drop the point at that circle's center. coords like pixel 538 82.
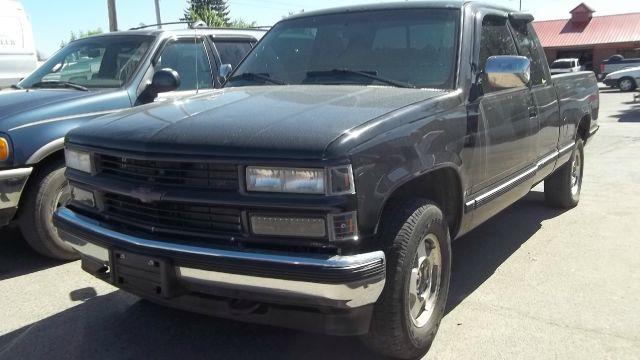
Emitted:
pixel 337 286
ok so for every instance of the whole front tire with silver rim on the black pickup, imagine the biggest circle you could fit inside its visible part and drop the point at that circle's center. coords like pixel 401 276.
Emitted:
pixel 407 316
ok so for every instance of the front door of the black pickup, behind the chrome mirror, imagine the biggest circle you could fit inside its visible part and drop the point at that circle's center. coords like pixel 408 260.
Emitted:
pixel 504 116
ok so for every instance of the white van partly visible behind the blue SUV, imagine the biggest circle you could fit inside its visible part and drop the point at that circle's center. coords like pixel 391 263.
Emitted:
pixel 17 48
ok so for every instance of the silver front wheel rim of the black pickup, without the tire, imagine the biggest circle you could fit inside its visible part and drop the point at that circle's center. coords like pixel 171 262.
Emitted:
pixel 424 283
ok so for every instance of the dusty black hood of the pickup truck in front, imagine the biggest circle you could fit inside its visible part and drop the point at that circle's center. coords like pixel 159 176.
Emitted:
pixel 258 121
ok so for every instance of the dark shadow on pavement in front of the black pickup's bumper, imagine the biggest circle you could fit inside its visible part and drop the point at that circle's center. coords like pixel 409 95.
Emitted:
pixel 111 327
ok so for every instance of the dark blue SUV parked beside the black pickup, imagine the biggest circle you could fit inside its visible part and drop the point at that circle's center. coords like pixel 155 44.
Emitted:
pixel 86 79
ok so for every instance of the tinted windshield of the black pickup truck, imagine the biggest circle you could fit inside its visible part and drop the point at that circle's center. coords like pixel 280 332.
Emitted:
pixel 404 48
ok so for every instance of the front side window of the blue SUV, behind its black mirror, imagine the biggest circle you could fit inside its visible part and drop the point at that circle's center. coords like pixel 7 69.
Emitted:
pixel 189 58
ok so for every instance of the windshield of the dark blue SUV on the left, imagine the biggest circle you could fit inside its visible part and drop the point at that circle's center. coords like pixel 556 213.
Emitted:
pixel 96 62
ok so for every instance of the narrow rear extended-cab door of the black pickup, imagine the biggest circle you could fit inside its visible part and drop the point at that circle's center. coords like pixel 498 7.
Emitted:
pixel 544 97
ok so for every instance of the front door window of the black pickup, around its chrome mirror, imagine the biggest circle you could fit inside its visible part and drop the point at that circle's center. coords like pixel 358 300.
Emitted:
pixel 495 40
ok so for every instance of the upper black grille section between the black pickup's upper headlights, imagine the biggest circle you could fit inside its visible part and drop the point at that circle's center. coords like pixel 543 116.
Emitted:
pixel 185 174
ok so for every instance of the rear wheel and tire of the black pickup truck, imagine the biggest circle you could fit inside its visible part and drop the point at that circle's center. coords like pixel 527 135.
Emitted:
pixel 562 188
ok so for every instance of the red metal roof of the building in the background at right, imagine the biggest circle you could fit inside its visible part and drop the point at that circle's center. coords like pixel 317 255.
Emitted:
pixel 599 30
